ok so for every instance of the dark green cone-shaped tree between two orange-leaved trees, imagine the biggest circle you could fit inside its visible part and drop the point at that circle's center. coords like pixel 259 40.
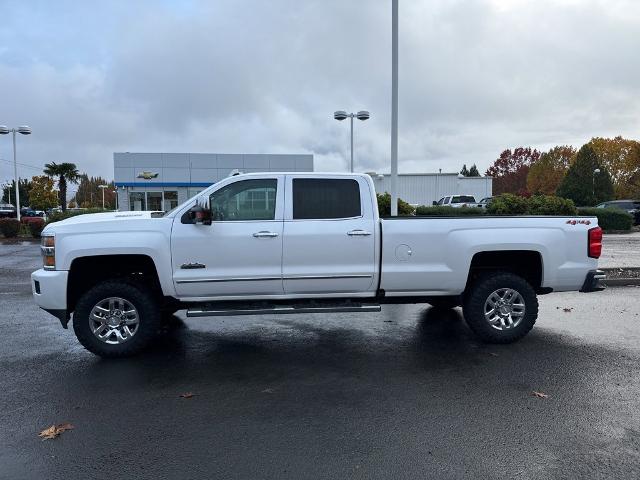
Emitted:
pixel 582 185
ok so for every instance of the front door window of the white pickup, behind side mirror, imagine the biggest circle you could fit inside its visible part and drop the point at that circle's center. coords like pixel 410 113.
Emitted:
pixel 245 200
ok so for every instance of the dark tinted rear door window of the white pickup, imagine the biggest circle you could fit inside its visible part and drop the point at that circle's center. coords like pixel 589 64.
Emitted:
pixel 321 198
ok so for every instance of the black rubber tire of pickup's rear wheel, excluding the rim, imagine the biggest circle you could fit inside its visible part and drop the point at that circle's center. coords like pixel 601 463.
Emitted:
pixel 474 304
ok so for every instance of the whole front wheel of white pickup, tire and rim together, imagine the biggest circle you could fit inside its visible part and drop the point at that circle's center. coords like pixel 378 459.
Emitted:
pixel 116 319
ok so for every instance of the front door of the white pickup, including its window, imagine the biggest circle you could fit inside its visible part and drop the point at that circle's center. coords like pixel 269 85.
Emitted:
pixel 240 253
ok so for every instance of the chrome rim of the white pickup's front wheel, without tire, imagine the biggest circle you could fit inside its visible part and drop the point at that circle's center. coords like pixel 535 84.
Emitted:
pixel 114 320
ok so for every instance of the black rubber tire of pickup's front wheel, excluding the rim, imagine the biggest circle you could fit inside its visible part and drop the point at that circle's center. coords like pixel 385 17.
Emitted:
pixel 140 297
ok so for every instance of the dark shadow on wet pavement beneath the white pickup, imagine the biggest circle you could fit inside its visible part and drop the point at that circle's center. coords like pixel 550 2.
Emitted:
pixel 438 339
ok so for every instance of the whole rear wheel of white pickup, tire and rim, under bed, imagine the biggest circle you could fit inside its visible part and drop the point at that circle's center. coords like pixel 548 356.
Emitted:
pixel 500 307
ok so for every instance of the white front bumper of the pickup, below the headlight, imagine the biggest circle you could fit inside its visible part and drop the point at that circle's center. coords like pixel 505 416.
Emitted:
pixel 49 288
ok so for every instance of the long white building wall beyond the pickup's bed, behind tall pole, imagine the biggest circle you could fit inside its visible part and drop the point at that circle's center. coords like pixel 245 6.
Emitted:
pixel 425 188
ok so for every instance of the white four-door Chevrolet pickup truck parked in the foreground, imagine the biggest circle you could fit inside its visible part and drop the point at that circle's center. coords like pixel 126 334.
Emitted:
pixel 302 243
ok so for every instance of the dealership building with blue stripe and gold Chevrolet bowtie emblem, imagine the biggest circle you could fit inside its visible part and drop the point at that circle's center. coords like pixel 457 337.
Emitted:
pixel 161 181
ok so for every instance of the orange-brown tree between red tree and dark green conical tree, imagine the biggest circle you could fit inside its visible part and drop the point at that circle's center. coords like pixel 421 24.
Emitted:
pixel 545 175
